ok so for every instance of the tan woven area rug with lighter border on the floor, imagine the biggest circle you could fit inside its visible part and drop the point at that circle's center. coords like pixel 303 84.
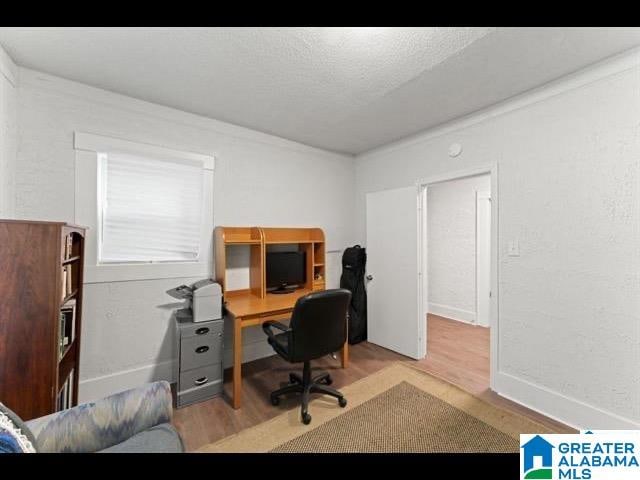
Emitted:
pixel 398 409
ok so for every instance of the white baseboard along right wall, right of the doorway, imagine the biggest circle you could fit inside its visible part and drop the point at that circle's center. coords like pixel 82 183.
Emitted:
pixel 569 411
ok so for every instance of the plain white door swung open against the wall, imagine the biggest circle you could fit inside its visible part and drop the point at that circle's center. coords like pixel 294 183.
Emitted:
pixel 392 271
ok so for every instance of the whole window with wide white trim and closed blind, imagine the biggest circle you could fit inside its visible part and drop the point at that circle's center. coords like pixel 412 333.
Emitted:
pixel 148 210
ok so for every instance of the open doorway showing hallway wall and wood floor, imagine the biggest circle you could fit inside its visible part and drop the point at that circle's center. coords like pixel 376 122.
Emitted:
pixel 457 289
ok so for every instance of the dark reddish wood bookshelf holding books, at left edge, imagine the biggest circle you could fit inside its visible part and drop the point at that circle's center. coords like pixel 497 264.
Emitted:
pixel 38 375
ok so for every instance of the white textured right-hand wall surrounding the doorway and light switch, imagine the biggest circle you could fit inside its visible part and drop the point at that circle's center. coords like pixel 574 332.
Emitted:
pixel 568 160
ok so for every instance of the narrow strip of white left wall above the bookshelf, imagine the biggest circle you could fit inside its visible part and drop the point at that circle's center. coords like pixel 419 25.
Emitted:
pixel 8 134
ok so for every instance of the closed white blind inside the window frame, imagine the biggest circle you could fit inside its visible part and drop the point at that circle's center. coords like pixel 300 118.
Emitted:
pixel 151 209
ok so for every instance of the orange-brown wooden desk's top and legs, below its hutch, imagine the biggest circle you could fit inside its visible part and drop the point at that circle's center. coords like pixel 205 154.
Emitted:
pixel 249 310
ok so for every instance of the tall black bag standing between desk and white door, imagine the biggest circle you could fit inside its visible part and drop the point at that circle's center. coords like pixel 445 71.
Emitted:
pixel 354 260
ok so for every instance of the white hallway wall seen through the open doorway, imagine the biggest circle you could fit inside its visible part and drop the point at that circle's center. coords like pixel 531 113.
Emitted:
pixel 451 247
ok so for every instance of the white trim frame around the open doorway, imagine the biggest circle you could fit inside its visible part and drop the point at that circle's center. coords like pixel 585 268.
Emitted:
pixel 423 280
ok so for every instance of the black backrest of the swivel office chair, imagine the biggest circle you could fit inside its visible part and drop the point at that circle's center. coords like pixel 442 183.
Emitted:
pixel 319 324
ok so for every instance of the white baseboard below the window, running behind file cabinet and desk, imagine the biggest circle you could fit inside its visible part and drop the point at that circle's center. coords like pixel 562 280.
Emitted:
pixel 100 387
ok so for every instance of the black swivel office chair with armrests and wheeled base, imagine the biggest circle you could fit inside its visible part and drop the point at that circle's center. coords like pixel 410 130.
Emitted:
pixel 317 328
